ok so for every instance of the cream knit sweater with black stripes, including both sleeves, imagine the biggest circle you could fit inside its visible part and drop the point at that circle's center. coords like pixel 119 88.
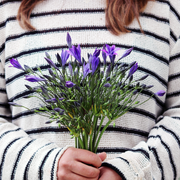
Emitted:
pixel 145 144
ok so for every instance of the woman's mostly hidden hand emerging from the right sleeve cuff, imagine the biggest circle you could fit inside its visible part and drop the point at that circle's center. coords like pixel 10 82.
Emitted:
pixel 108 174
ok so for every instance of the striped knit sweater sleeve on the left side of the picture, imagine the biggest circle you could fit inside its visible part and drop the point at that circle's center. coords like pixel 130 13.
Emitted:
pixel 21 157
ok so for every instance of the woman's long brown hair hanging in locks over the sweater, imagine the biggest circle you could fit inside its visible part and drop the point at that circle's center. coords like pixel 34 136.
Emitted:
pixel 119 13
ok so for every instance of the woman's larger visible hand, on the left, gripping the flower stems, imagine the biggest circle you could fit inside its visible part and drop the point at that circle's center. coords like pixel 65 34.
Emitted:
pixel 76 164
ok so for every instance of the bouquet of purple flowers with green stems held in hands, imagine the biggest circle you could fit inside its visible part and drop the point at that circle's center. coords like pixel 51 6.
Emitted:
pixel 81 95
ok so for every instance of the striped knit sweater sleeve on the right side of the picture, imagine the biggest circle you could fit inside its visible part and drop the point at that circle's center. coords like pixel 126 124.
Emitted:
pixel 159 157
